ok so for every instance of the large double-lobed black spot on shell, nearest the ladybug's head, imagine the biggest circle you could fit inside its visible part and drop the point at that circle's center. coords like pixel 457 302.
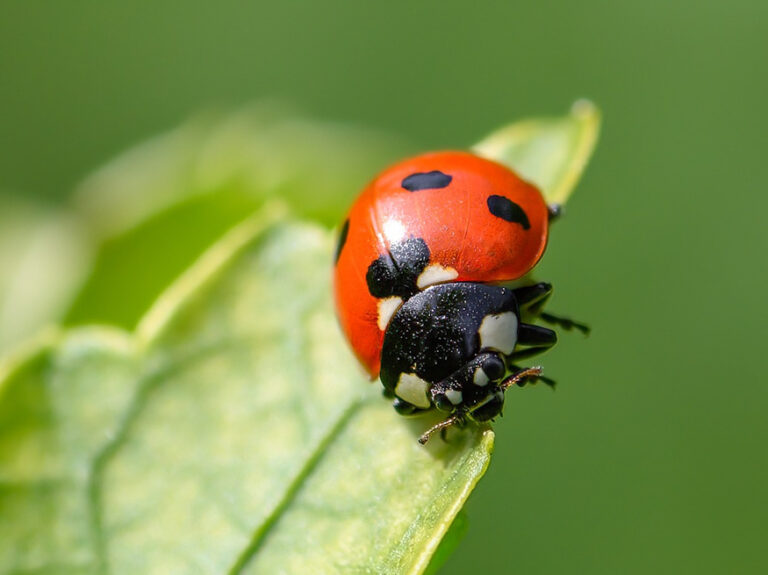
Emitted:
pixel 396 273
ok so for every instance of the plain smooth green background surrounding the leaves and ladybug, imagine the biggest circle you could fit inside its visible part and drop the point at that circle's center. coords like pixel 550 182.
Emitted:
pixel 651 454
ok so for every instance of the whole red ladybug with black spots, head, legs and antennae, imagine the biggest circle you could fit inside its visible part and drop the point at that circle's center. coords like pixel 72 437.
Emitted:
pixel 424 281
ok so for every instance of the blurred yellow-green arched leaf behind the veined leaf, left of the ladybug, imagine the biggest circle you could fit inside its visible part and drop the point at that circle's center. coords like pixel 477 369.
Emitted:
pixel 262 152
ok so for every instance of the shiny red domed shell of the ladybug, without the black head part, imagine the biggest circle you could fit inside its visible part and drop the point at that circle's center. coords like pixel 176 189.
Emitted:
pixel 456 222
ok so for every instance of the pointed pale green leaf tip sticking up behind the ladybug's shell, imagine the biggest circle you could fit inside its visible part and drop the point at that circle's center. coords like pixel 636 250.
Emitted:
pixel 552 153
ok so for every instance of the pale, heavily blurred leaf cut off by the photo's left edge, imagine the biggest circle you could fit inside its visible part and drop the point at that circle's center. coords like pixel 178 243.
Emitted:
pixel 43 258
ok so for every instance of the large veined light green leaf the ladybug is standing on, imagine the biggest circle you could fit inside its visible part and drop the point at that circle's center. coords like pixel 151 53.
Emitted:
pixel 233 432
